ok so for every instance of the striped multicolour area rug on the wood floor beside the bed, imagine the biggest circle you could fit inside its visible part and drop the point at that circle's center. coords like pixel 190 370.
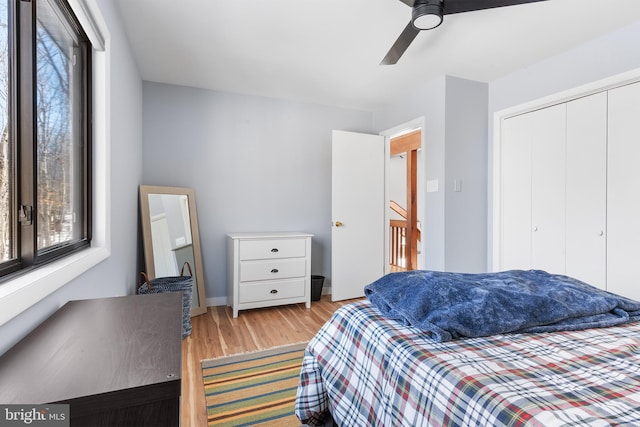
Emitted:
pixel 253 388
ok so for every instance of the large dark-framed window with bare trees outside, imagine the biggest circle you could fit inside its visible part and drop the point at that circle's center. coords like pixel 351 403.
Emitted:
pixel 45 140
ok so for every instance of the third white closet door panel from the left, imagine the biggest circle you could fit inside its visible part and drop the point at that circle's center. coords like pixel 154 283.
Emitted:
pixel 586 198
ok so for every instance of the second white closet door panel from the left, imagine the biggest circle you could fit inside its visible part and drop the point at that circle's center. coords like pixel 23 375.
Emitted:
pixel 548 157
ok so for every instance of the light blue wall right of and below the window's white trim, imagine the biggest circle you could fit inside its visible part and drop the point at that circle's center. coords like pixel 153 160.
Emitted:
pixel 116 275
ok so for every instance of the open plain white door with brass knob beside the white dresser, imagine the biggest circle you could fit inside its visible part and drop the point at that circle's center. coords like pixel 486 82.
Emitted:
pixel 357 235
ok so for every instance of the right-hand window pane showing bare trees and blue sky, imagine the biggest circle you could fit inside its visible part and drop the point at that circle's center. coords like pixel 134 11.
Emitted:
pixel 58 158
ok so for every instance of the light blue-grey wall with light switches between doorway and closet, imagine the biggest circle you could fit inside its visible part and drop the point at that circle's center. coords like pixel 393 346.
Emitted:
pixel 455 147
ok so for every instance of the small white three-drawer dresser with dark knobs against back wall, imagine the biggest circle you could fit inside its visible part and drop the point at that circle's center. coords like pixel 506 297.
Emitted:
pixel 266 269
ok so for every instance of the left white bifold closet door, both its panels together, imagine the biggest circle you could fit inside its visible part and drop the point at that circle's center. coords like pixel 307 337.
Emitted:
pixel 533 190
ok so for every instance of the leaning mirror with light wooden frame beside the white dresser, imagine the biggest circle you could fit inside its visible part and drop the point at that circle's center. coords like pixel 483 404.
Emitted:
pixel 171 237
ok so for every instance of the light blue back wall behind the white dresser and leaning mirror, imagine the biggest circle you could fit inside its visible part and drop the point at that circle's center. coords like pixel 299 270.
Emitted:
pixel 255 163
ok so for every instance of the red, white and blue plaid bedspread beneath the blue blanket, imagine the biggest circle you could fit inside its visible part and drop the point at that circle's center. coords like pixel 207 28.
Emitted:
pixel 369 371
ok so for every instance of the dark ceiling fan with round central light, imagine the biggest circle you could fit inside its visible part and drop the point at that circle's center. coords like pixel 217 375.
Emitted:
pixel 427 15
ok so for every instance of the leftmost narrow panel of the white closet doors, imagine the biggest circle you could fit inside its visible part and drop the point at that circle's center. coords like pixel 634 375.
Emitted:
pixel 516 193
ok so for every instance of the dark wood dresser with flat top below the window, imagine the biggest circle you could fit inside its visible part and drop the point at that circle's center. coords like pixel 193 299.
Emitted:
pixel 115 361
